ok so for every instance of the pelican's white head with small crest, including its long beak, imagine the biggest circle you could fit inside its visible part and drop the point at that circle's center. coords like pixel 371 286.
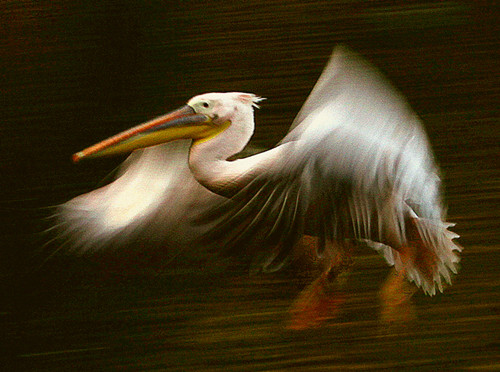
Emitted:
pixel 202 118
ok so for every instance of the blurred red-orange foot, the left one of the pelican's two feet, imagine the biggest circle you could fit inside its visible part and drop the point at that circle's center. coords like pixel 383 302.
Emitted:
pixel 316 304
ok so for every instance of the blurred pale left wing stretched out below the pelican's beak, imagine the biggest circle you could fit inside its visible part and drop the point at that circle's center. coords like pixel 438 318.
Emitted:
pixel 154 198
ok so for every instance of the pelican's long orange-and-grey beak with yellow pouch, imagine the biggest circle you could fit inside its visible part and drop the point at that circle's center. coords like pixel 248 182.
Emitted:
pixel 178 124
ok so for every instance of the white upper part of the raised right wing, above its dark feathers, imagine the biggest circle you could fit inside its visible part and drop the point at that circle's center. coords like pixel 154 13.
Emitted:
pixel 360 128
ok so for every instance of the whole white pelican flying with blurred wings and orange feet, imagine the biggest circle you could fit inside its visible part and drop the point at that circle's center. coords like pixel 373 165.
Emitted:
pixel 355 166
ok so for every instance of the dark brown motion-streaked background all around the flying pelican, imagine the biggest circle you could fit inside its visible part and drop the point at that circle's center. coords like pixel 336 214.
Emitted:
pixel 75 72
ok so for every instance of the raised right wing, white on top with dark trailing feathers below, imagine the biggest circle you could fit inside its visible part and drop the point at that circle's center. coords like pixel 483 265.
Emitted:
pixel 356 164
